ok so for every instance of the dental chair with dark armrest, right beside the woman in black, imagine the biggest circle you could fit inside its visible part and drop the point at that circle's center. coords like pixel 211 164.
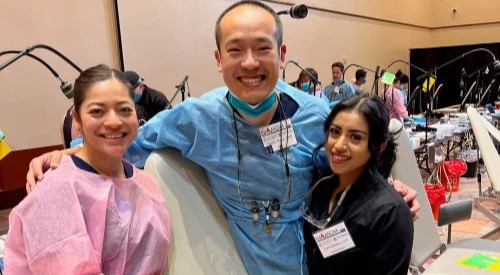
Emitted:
pixel 426 241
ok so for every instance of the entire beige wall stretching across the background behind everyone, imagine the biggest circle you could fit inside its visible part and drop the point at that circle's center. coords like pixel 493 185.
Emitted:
pixel 165 40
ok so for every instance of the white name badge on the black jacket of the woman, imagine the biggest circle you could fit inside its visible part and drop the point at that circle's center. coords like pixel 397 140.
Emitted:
pixel 333 240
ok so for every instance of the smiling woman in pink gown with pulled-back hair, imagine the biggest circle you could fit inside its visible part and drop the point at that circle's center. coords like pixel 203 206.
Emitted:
pixel 95 214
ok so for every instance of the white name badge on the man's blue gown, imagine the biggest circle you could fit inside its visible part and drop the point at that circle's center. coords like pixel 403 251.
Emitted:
pixel 276 135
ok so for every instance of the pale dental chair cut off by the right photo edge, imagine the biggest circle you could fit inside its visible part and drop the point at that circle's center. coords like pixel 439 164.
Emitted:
pixel 482 130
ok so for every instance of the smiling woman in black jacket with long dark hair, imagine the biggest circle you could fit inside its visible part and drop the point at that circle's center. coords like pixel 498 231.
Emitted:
pixel 375 223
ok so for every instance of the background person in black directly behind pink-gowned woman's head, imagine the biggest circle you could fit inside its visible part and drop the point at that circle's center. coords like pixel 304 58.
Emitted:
pixel 148 101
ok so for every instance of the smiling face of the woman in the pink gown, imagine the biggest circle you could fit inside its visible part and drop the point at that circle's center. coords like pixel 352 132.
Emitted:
pixel 107 119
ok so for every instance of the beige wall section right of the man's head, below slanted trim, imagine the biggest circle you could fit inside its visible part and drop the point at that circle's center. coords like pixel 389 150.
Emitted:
pixel 346 39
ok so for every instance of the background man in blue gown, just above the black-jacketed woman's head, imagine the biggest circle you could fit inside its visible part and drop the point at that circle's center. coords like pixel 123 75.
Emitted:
pixel 338 89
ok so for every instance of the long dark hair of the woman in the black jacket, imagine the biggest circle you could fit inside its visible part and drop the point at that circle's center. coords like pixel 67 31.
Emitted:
pixel 374 110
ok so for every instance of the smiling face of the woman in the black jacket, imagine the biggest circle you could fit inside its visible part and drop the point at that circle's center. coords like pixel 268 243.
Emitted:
pixel 347 145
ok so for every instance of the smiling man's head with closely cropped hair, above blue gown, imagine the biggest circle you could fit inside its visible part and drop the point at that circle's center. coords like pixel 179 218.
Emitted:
pixel 249 57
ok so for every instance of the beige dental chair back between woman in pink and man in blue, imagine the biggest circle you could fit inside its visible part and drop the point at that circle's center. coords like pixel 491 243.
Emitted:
pixel 201 242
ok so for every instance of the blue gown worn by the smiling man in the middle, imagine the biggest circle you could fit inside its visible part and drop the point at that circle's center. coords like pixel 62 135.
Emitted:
pixel 204 131
